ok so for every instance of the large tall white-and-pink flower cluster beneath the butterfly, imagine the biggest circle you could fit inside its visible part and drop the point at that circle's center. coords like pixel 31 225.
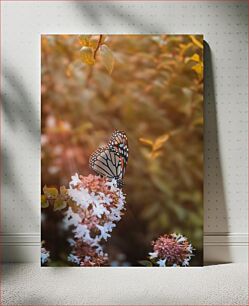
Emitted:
pixel 98 206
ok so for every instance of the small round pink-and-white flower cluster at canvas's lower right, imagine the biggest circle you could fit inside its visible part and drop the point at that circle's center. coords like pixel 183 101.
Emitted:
pixel 171 250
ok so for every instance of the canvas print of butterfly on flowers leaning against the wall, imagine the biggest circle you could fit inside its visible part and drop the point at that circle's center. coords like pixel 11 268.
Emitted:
pixel 122 150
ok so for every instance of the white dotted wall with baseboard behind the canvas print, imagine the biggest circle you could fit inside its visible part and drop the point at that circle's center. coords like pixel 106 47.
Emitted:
pixel 224 25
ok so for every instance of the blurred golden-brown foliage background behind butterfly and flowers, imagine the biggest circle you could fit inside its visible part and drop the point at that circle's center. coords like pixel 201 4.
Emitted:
pixel 150 86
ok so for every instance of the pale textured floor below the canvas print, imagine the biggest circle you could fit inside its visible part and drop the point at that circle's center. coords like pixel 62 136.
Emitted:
pixel 28 284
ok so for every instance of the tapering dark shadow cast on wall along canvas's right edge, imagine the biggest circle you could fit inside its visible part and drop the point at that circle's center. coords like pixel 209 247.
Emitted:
pixel 214 195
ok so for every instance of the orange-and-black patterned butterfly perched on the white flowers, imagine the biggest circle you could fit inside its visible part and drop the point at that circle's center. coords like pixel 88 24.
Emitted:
pixel 111 160
